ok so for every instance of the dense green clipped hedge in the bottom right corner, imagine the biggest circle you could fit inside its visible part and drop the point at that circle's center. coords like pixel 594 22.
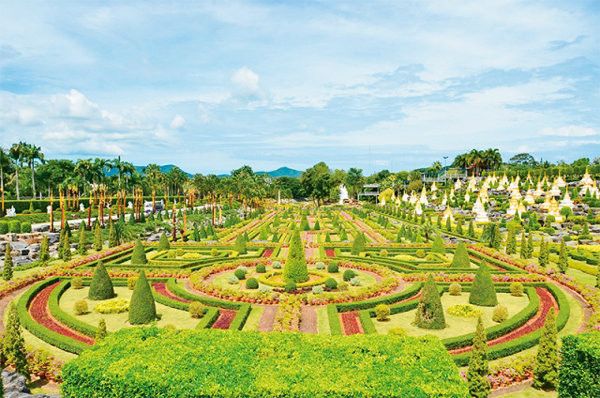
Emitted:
pixel 579 375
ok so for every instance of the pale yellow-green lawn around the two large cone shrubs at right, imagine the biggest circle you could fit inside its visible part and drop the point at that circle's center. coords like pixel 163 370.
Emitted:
pixel 456 325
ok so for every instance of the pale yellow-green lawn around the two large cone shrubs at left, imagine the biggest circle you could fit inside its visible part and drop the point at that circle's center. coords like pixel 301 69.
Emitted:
pixel 169 316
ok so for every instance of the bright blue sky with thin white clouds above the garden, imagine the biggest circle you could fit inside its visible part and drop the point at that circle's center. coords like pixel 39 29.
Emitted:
pixel 211 86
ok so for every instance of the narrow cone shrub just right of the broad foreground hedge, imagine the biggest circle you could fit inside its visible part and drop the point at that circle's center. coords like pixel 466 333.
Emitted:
pixel 477 374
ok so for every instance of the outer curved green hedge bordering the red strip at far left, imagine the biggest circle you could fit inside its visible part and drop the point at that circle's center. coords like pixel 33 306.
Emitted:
pixel 53 338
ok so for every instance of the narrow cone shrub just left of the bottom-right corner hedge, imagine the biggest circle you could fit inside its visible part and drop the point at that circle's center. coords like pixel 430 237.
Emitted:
pixel 545 371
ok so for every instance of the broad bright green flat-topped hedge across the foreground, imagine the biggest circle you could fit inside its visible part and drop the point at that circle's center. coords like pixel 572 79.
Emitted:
pixel 232 364
